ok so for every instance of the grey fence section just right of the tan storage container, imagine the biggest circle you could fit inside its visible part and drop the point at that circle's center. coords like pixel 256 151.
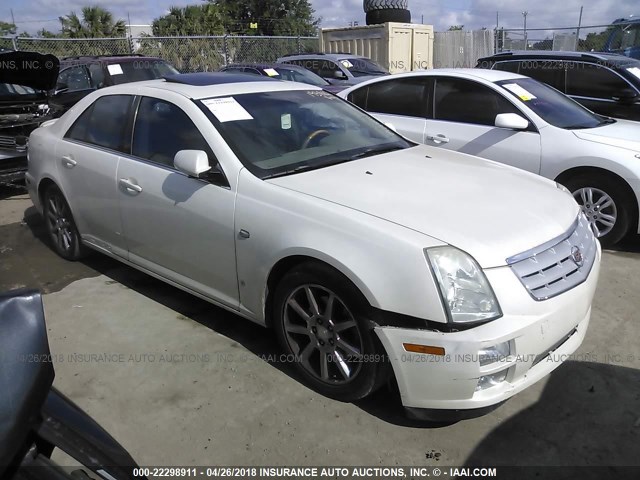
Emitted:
pixel 461 49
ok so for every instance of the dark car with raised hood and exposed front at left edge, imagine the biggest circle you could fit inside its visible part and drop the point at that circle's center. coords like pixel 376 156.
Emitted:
pixel 26 78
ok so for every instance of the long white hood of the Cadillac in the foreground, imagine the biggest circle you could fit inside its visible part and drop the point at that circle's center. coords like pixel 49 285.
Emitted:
pixel 491 211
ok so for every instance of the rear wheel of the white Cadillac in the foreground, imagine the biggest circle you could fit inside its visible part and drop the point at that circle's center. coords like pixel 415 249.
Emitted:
pixel 61 227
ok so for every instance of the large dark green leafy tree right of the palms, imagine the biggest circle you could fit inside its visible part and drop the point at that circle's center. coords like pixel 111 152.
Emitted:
pixel 268 17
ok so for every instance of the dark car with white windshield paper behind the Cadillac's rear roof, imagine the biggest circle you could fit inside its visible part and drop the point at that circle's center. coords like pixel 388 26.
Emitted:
pixel 79 76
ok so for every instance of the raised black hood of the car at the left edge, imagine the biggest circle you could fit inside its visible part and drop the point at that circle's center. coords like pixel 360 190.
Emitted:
pixel 30 69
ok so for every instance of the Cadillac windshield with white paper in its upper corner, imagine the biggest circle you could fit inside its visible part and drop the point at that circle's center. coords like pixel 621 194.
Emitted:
pixel 285 132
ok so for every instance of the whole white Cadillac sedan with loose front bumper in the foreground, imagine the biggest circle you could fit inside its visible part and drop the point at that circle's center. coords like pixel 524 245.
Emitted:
pixel 369 255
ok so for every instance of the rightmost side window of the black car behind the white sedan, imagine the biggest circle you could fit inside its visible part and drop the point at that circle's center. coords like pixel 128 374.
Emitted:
pixel 594 81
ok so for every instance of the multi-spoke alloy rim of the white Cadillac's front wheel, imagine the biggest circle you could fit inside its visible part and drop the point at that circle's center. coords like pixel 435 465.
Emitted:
pixel 323 334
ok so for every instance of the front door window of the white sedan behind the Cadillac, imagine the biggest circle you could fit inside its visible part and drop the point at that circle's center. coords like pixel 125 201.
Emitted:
pixel 465 101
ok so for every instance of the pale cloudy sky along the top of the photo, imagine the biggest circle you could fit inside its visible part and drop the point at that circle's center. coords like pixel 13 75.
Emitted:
pixel 32 15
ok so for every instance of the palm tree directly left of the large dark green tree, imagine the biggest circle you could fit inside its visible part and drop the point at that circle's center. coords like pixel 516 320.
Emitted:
pixel 191 20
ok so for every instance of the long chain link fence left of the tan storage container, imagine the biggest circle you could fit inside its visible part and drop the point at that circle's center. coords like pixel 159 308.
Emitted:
pixel 188 54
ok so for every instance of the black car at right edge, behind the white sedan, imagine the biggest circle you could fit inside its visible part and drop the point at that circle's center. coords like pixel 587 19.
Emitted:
pixel 606 83
